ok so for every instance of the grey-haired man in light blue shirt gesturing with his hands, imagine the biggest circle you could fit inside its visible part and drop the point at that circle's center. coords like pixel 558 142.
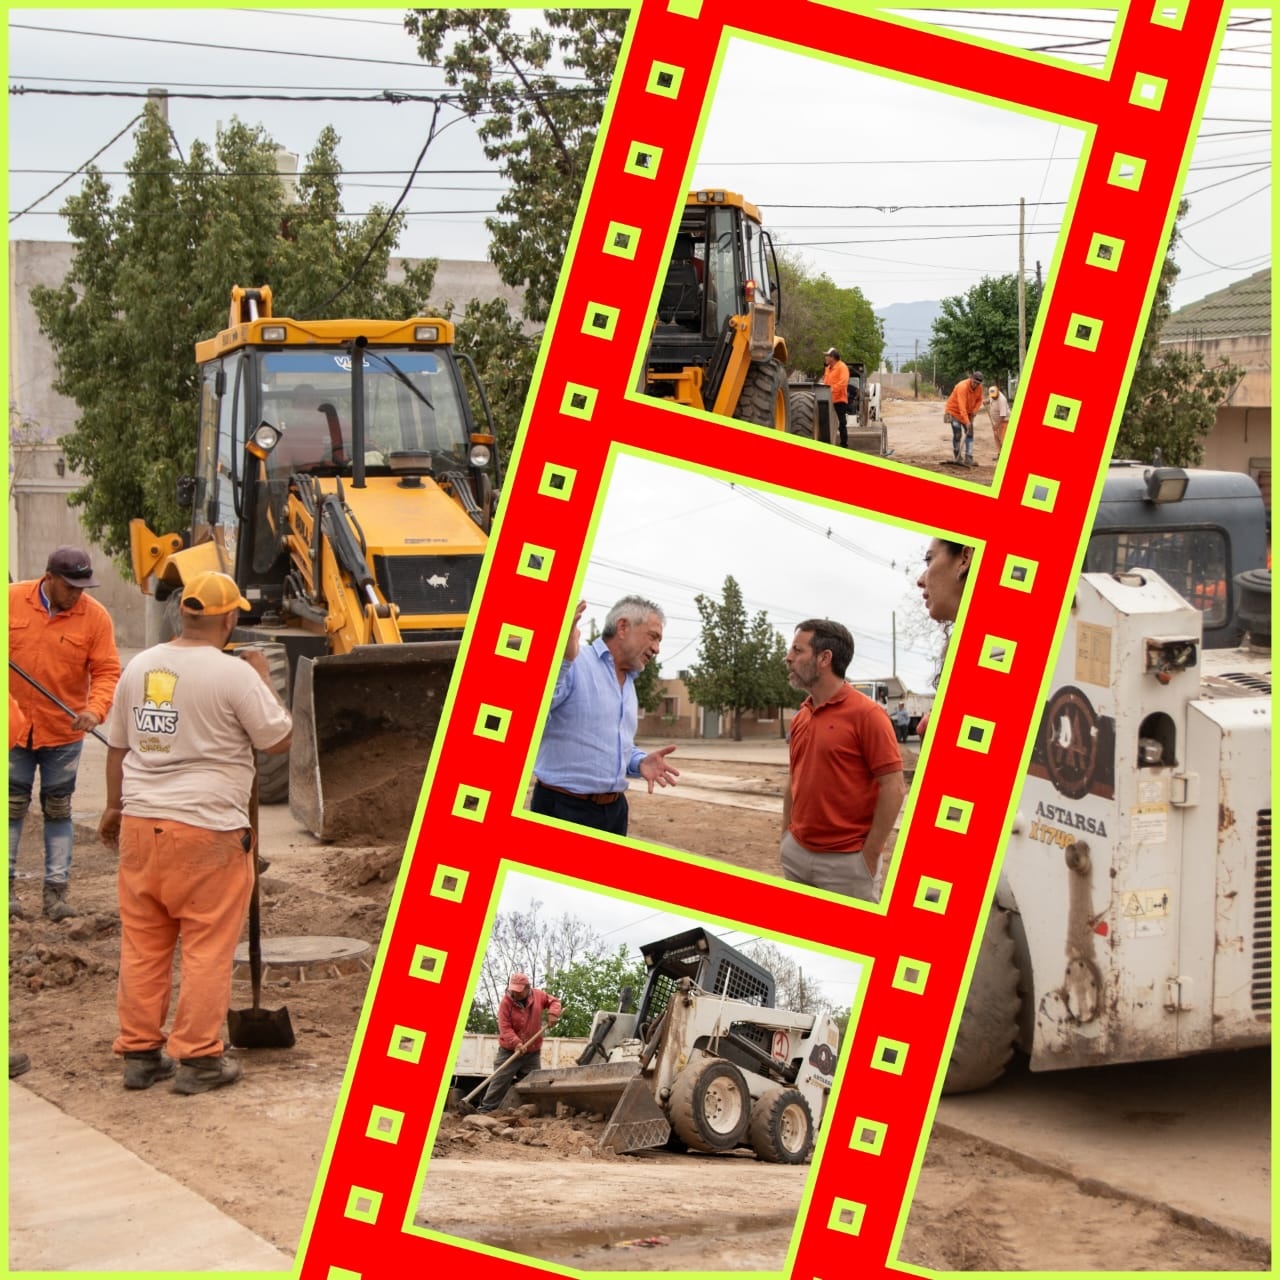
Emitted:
pixel 588 751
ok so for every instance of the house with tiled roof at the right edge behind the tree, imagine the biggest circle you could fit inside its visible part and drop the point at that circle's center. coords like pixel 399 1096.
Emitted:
pixel 1235 324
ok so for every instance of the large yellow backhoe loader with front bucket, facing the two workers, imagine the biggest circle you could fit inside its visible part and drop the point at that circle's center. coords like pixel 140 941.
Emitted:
pixel 342 481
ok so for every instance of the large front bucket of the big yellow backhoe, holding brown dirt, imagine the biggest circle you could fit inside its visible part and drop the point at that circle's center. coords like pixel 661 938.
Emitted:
pixel 363 730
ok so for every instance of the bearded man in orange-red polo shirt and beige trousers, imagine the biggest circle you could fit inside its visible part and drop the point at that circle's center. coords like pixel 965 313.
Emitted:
pixel 847 771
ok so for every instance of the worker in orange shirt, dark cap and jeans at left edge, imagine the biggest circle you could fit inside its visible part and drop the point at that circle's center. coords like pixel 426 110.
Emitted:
pixel 65 639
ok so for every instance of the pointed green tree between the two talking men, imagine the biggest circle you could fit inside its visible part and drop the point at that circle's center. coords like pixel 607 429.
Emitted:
pixel 738 659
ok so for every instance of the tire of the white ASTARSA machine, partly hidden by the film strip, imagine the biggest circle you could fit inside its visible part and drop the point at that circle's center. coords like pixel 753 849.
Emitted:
pixel 989 1025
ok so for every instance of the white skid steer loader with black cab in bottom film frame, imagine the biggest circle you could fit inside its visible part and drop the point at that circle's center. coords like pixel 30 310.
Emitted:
pixel 707 1062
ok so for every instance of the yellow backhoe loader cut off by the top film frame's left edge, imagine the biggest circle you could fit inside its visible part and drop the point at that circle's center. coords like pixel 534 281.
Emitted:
pixel 714 344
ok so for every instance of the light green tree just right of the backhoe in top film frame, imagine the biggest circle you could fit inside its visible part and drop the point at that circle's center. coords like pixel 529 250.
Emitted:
pixel 819 314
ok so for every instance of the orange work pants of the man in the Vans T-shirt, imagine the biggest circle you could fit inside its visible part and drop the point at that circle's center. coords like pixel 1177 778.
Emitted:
pixel 179 883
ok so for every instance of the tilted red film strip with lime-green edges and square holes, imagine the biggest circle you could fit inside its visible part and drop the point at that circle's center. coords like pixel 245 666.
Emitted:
pixel 1139 116
